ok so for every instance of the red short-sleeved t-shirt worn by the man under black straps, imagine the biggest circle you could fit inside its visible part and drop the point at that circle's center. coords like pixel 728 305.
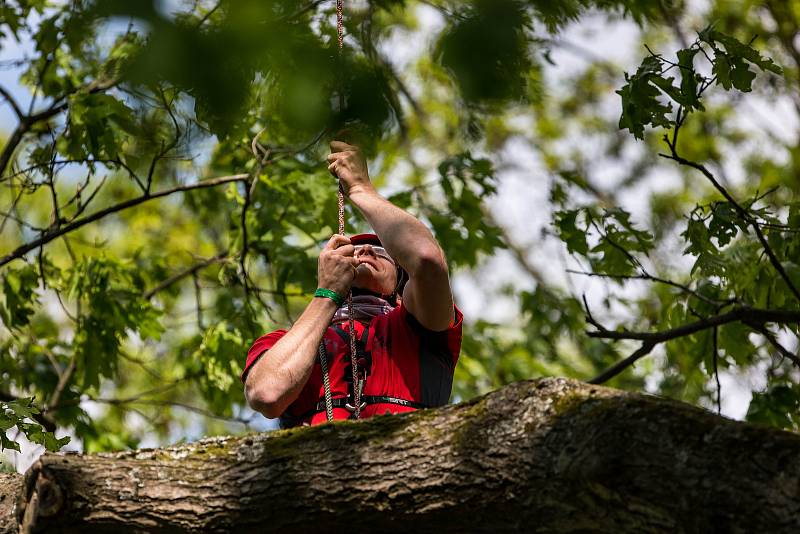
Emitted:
pixel 402 359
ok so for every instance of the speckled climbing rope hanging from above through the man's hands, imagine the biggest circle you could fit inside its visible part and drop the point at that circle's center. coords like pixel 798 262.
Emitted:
pixel 358 382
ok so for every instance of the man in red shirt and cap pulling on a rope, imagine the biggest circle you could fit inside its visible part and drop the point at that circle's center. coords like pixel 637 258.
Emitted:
pixel 407 329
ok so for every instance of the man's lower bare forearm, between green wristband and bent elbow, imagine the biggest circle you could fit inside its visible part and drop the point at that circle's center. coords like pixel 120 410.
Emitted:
pixel 276 379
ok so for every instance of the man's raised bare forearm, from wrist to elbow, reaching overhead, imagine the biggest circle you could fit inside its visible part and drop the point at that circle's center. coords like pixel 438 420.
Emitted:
pixel 406 239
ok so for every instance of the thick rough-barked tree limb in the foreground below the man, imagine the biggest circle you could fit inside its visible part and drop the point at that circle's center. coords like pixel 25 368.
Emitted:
pixel 551 455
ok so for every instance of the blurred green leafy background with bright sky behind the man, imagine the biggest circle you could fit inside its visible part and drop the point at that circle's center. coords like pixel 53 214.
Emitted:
pixel 165 195
